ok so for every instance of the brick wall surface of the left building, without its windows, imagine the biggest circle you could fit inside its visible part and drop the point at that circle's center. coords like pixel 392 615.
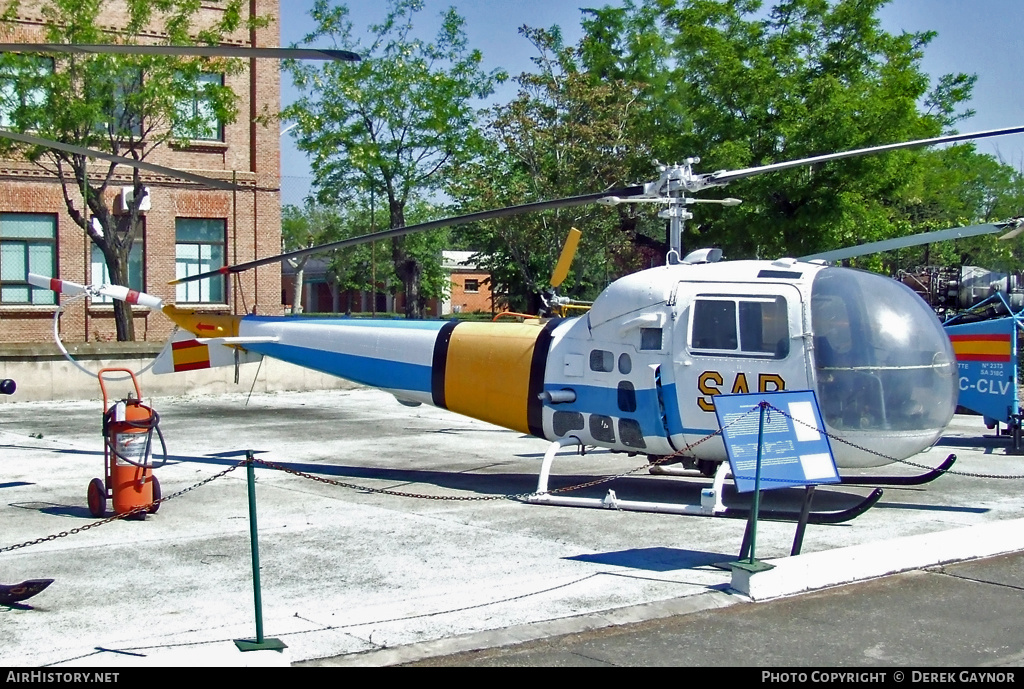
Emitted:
pixel 250 154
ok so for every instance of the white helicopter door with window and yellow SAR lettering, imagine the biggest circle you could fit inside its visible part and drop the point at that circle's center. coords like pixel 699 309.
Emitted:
pixel 747 340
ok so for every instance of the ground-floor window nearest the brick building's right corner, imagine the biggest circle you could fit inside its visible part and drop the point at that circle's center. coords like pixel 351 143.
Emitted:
pixel 200 248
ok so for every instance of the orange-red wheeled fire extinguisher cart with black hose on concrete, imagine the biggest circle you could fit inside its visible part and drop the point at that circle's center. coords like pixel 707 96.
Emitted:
pixel 129 479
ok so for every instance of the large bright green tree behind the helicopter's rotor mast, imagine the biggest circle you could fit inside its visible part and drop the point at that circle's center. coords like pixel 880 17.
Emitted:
pixel 742 87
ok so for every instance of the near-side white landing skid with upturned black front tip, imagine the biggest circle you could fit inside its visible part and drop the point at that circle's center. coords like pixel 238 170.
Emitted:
pixel 711 499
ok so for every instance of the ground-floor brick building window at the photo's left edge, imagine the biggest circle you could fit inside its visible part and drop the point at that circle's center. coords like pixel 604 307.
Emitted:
pixel 28 244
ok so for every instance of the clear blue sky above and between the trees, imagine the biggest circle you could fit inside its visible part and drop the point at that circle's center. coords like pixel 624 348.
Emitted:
pixel 982 37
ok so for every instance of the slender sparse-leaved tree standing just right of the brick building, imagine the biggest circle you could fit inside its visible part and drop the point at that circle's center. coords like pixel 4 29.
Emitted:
pixel 392 126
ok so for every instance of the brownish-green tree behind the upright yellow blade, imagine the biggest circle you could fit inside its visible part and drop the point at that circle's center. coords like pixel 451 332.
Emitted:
pixel 565 135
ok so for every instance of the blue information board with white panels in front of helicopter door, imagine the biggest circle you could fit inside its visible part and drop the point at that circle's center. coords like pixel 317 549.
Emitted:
pixel 794 449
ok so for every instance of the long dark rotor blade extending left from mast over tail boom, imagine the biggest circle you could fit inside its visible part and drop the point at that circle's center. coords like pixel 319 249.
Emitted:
pixel 421 228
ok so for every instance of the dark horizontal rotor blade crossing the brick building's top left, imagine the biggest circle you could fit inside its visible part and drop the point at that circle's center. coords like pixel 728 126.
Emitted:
pixel 184 51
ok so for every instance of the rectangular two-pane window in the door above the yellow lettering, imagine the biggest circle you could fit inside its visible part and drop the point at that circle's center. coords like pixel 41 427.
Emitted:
pixel 741 326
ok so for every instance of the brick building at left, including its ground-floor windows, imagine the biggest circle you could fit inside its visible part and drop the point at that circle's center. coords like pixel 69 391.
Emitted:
pixel 187 229
